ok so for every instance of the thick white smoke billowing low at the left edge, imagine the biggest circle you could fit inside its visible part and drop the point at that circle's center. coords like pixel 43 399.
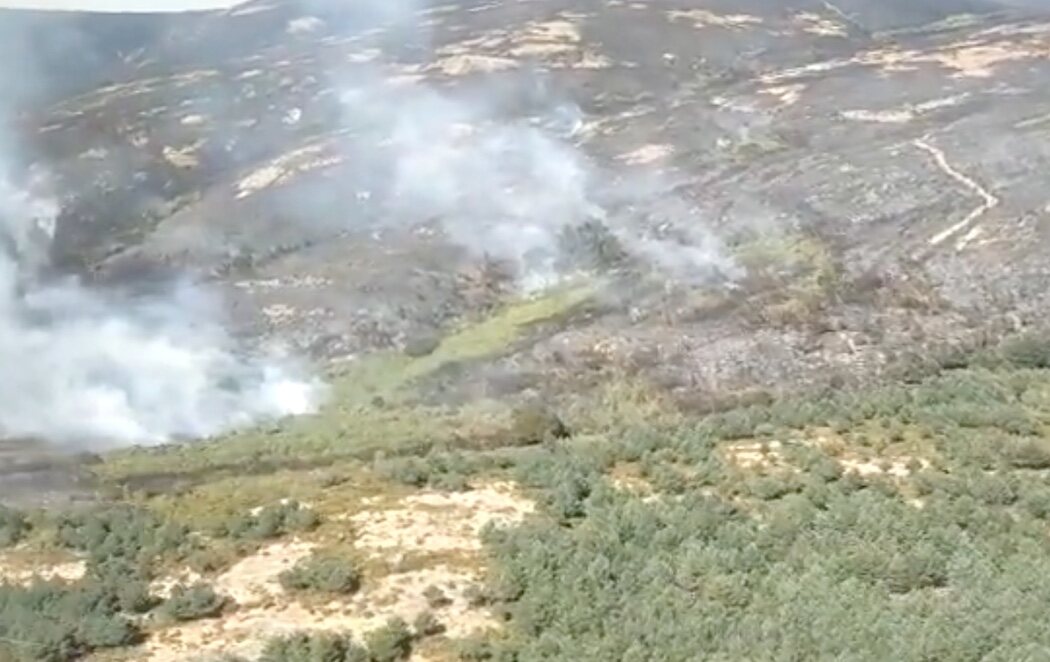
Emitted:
pixel 85 368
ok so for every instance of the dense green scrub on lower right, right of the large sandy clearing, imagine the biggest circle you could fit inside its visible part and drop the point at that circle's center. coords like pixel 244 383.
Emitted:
pixel 795 552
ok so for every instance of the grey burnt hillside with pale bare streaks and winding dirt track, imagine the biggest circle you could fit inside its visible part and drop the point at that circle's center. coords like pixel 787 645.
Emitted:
pixel 796 195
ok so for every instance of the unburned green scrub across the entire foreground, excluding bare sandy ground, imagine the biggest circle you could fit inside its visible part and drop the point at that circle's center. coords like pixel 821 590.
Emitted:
pixel 910 521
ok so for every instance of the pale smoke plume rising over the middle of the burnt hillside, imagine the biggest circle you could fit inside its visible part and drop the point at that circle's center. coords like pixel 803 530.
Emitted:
pixel 500 165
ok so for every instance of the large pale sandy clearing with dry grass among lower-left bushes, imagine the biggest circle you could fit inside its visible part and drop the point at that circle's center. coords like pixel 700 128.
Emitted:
pixel 417 546
